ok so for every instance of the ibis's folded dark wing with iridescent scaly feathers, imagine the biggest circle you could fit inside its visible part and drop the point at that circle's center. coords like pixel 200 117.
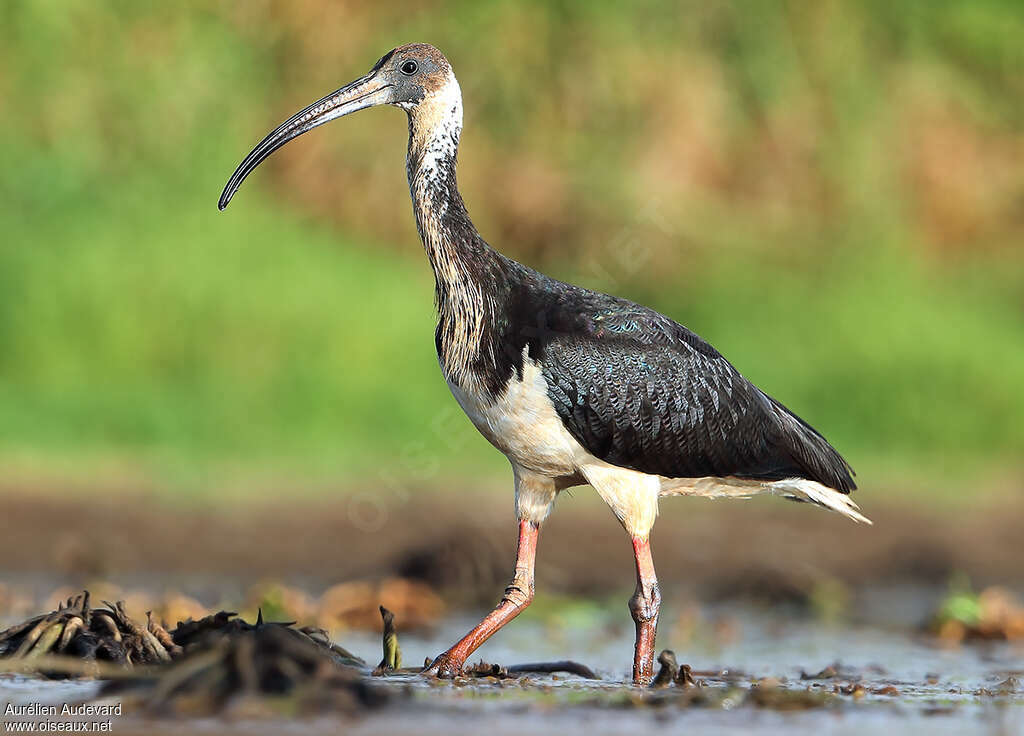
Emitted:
pixel 642 392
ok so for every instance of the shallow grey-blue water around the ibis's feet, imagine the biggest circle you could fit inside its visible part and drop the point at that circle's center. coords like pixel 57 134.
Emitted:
pixel 941 690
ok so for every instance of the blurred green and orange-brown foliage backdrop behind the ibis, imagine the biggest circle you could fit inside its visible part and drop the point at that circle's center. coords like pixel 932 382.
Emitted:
pixel 832 193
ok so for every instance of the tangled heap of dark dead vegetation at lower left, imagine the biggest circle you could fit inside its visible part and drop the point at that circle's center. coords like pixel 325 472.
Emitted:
pixel 201 666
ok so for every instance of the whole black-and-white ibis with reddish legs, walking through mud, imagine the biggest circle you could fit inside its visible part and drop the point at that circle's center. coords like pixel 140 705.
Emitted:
pixel 575 387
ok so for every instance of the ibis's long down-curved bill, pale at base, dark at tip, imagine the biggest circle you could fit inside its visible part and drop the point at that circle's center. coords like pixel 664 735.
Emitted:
pixel 365 93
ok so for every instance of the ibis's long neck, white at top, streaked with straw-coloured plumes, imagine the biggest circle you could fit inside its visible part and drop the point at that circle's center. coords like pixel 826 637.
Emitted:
pixel 465 267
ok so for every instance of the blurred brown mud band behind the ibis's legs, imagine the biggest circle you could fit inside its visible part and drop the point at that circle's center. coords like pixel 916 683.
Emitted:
pixel 765 548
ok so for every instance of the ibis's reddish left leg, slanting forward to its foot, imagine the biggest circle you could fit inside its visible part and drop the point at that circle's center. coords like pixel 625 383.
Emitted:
pixel 518 596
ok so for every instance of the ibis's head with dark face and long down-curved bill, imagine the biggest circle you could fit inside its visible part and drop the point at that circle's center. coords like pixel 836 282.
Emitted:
pixel 415 77
